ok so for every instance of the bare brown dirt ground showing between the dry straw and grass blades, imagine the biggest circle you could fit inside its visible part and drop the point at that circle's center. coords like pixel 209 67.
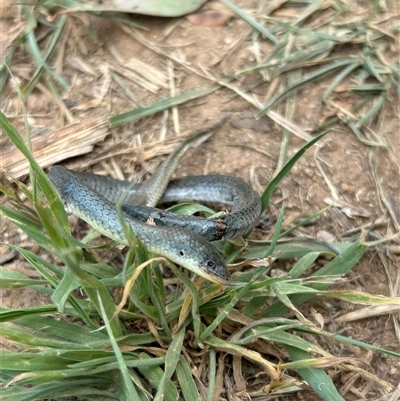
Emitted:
pixel 242 147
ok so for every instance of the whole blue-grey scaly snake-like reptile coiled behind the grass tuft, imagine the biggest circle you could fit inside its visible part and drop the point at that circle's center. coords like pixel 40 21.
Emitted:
pixel 182 239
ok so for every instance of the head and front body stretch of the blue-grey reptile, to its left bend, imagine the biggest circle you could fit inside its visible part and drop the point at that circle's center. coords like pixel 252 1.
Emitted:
pixel 183 247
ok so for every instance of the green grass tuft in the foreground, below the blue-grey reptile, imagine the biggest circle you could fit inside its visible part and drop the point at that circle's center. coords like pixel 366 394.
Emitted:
pixel 154 357
